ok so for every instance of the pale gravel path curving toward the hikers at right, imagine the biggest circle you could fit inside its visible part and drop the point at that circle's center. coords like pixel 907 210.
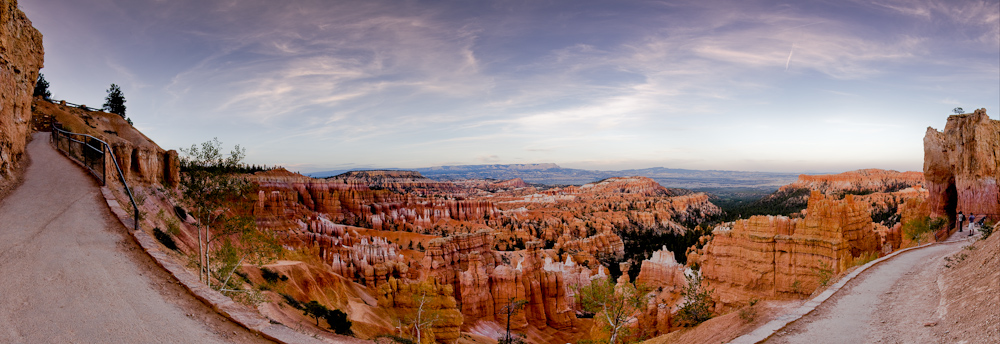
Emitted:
pixel 896 301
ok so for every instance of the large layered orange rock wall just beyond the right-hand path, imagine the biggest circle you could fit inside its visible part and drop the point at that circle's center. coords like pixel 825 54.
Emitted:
pixel 773 256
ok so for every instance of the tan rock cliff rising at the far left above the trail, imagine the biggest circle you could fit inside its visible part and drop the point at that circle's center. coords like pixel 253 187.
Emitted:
pixel 21 56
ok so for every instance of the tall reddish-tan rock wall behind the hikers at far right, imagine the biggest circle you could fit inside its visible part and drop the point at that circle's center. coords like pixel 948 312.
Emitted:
pixel 962 166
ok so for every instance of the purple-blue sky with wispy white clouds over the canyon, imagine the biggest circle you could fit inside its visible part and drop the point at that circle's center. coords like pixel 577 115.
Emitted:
pixel 779 86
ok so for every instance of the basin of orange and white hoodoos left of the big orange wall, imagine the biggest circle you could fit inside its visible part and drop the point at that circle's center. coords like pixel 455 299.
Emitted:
pixel 489 242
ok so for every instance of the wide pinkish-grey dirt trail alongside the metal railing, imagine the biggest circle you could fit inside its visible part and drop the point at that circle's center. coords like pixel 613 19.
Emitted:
pixel 69 273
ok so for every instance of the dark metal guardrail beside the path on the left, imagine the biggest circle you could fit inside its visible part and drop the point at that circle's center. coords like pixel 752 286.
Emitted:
pixel 92 153
